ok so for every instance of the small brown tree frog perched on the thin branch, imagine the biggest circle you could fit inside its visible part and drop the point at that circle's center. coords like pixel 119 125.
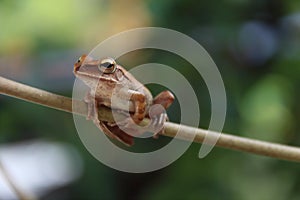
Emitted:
pixel 107 80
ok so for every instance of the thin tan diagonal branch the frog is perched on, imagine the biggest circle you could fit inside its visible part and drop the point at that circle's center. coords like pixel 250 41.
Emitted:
pixel 48 99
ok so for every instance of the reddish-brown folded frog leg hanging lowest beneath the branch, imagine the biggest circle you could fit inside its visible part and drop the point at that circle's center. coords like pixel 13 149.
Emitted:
pixel 116 133
